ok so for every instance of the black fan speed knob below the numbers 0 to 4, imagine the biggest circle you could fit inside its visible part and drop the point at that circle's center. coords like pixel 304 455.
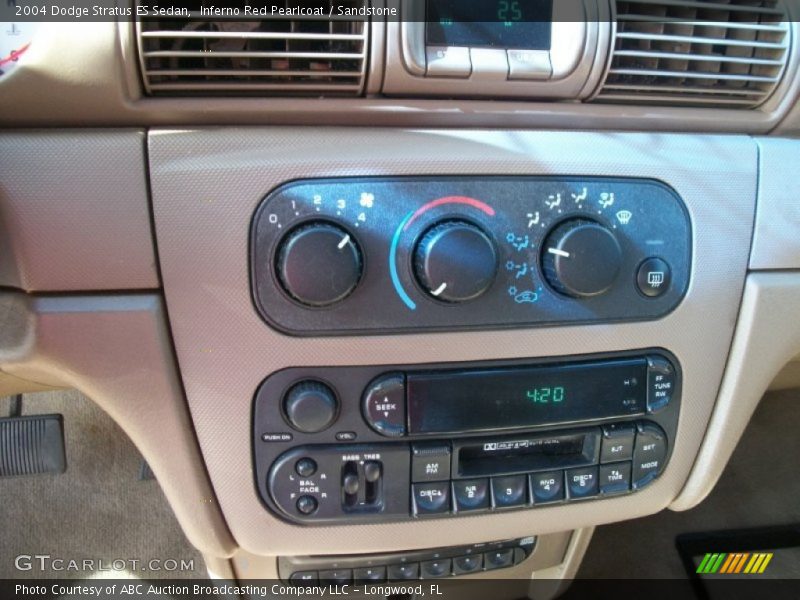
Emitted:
pixel 319 263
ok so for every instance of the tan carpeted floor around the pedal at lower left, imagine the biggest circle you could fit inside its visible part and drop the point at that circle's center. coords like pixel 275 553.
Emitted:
pixel 98 509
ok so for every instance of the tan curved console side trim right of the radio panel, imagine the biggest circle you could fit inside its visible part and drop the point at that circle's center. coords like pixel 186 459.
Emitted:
pixel 767 337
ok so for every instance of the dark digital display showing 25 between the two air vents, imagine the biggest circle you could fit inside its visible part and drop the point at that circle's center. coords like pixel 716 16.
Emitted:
pixel 523 24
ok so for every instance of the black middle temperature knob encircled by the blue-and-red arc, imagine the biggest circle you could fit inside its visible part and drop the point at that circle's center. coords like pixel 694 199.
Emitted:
pixel 455 261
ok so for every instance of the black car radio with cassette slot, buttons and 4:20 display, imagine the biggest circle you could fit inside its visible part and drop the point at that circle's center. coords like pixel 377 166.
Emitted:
pixel 378 443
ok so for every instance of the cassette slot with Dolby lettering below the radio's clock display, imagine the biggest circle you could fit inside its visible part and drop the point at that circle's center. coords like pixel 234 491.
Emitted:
pixel 500 456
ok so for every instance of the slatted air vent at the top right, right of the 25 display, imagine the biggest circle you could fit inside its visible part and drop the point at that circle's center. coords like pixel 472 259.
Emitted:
pixel 728 53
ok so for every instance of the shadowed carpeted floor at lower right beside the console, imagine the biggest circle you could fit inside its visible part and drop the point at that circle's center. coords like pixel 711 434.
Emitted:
pixel 759 487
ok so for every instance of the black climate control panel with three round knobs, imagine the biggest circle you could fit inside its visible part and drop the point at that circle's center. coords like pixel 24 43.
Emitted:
pixel 370 255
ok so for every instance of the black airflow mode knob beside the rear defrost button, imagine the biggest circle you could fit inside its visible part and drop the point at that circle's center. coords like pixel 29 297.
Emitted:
pixel 581 258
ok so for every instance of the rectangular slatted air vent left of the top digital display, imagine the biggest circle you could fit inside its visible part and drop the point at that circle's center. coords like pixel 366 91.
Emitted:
pixel 282 56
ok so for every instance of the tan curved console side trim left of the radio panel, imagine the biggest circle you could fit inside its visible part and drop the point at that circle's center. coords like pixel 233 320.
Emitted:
pixel 117 351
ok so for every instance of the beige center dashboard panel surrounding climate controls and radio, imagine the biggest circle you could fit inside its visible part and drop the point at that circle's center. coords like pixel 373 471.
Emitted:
pixel 206 185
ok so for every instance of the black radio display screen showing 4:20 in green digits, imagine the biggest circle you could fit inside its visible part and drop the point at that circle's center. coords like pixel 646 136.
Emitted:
pixel 520 397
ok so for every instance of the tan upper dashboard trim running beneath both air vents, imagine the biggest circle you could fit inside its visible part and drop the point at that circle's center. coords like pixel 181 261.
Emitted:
pixel 97 83
